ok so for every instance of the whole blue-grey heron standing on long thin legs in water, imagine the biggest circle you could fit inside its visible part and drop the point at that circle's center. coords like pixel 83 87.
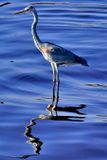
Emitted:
pixel 54 54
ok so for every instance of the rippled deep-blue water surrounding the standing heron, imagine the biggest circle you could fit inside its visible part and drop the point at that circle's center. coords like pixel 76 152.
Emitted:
pixel 80 130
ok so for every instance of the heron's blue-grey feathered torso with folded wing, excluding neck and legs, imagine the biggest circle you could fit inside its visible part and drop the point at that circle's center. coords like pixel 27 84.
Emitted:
pixel 59 55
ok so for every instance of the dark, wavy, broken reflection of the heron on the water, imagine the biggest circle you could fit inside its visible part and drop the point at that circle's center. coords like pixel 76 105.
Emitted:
pixel 36 142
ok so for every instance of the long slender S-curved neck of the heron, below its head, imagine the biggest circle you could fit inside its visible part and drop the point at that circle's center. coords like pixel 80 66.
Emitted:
pixel 36 39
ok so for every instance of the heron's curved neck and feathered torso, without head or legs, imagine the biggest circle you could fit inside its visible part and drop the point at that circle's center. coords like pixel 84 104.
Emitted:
pixel 52 52
